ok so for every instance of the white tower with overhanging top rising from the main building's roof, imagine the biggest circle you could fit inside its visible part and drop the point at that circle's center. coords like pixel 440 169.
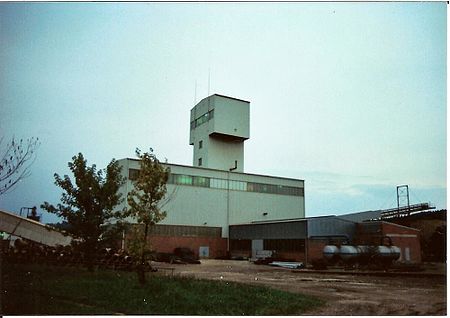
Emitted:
pixel 219 127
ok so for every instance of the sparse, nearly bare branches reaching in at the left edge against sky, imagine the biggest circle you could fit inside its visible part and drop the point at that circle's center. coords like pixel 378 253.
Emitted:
pixel 16 157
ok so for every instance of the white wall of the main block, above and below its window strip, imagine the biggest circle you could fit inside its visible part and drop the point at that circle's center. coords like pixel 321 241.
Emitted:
pixel 190 205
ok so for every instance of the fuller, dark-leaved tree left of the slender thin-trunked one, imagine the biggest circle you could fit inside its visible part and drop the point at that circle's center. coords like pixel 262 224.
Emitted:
pixel 88 205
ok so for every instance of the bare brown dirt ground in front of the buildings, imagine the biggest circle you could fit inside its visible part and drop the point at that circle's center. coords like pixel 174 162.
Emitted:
pixel 344 294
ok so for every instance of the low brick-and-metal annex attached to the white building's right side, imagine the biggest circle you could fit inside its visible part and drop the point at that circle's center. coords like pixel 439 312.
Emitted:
pixel 304 239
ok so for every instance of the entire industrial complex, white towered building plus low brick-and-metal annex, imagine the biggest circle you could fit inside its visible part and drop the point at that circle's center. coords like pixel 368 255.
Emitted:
pixel 216 209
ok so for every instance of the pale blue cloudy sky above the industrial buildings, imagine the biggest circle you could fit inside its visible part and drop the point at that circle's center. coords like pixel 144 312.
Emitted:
pixel 350 97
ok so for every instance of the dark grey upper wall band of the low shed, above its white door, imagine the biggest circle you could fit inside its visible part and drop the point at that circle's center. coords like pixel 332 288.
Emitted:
pixel 257 231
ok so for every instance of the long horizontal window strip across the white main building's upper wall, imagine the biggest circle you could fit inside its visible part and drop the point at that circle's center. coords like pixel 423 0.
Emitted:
pixel 234 185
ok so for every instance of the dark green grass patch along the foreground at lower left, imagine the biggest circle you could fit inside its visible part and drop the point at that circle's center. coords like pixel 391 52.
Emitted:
pixel 45 290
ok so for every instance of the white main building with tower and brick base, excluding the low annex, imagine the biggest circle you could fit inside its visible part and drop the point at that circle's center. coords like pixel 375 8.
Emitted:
pixel 203 200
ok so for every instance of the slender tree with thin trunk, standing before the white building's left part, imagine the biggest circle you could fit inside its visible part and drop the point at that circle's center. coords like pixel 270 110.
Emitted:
pixel 149 190
